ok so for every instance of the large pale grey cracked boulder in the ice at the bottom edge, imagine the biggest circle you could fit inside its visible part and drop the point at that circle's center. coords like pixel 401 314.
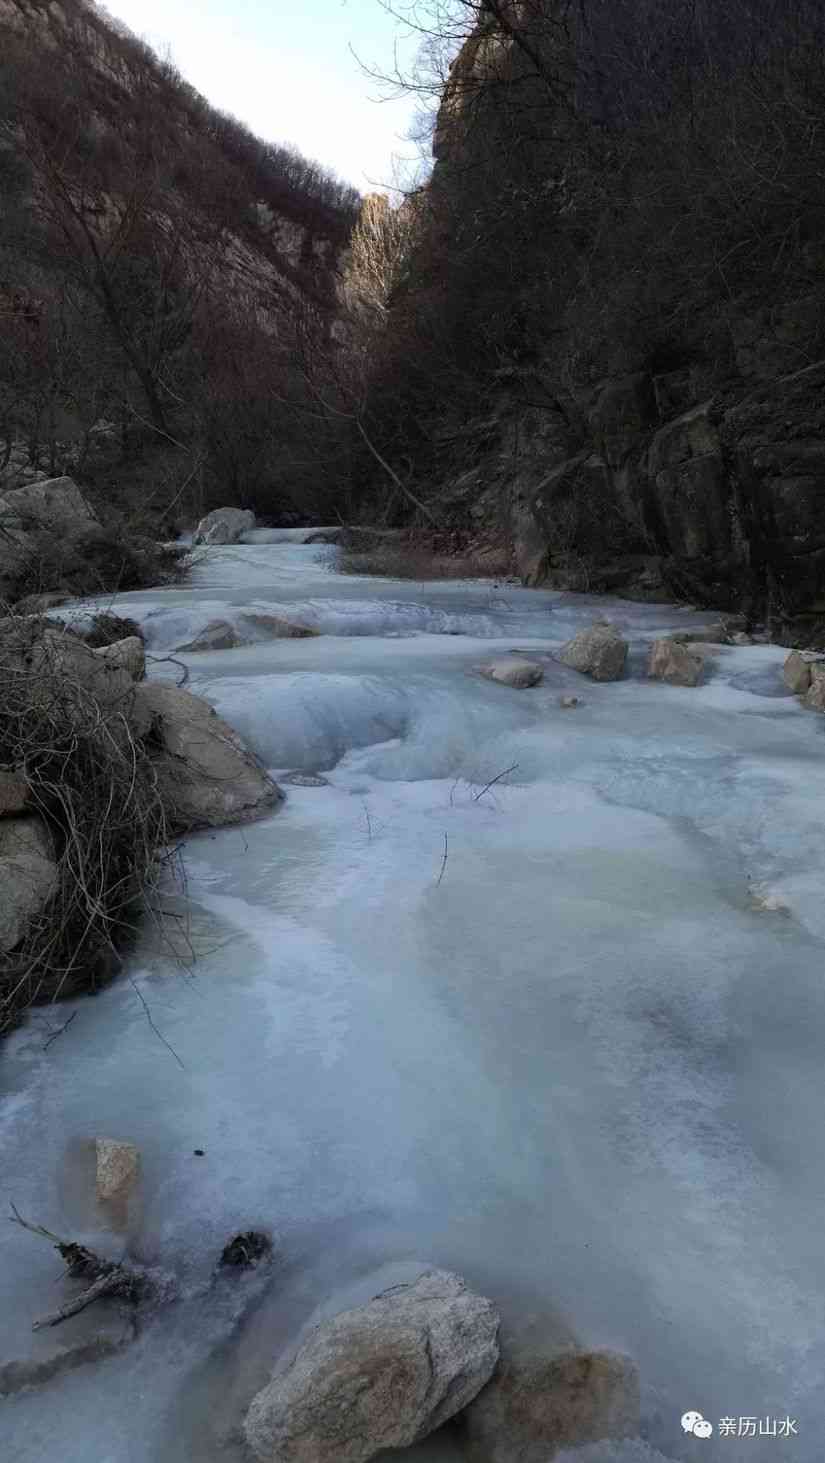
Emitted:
pixel 381 1376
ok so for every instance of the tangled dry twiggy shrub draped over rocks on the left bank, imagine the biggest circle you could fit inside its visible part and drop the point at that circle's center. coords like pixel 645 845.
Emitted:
pixel 93 782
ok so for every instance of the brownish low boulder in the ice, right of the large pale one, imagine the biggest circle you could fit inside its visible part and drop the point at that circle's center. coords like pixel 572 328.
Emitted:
pixel 538 1405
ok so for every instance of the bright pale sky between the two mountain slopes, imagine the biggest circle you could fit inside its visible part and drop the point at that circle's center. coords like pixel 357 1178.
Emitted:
pixel 286 69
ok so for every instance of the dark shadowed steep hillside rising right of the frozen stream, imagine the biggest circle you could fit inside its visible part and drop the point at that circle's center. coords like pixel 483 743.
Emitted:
pixel 608 342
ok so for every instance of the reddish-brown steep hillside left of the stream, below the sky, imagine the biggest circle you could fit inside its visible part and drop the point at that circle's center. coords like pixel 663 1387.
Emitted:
pixel 169 283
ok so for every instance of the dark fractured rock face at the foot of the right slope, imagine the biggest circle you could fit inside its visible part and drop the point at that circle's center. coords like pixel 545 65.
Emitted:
pixel 719 498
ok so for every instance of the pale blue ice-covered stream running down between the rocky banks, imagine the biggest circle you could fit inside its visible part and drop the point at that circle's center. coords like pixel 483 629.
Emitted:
pixel 583 1061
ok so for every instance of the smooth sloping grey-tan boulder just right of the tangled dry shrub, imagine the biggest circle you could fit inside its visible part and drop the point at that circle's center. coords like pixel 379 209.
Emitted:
pixel 206 773
